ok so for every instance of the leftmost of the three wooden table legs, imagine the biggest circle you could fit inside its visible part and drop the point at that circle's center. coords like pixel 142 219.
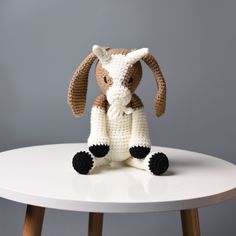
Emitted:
pixel 33 221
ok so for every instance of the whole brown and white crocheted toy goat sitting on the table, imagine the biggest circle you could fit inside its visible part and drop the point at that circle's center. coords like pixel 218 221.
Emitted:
pixel 119 129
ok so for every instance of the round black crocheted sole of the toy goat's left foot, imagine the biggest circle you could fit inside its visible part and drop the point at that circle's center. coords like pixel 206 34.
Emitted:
pixel 82 162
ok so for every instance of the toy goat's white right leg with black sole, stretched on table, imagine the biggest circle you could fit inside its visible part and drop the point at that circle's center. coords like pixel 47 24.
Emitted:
pixel 155 163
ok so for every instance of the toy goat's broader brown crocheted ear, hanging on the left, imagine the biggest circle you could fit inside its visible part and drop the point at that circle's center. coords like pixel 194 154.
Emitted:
pixel 78 86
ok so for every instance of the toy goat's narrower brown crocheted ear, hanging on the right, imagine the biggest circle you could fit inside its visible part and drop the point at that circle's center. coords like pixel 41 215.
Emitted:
pixel 160 98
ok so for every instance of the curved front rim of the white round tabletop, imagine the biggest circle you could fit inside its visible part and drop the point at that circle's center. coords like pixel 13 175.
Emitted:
pixel 116 207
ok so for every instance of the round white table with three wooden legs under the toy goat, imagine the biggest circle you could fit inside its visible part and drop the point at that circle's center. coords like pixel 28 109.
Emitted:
pixel 43 177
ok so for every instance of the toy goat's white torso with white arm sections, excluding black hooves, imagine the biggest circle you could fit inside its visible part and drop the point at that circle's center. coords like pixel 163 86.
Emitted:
pixel 120 134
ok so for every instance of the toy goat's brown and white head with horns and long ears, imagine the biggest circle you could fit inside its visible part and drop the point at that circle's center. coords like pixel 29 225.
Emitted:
pixel 118 73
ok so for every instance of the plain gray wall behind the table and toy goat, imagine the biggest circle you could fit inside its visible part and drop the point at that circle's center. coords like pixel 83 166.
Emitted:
pixel 42 42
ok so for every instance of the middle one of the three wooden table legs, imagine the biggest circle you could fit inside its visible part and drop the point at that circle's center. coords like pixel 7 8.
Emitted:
pixel 95 224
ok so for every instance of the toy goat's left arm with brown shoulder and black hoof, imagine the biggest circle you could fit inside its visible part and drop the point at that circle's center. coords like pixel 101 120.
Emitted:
pixel 98 140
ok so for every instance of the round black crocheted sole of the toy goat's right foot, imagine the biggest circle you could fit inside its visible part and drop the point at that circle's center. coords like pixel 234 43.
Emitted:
pixel 158 163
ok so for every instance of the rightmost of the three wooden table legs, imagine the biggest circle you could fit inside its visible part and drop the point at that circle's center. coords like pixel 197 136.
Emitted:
pixel 190 222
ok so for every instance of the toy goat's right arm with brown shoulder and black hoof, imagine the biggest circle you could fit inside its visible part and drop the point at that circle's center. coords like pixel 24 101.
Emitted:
pixel 139 144
